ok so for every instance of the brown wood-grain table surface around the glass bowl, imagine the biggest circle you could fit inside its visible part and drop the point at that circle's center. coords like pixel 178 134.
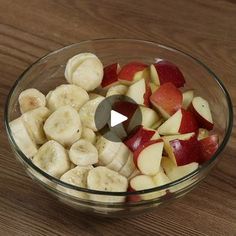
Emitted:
pixel 31 28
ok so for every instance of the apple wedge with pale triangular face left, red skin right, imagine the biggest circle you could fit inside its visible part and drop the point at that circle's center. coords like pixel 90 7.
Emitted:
pixel 180 123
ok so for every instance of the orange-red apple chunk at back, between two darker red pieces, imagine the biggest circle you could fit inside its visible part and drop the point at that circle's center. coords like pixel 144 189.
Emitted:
pixel 132 72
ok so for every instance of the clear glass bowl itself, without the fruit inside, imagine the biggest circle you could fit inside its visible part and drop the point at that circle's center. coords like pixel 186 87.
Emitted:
pixel 48 72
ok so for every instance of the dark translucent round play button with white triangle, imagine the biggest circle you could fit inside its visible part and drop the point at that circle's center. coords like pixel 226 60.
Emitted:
pixel 116 116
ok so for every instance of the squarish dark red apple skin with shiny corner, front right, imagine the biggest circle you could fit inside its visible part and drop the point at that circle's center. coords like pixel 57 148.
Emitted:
pixel 186 151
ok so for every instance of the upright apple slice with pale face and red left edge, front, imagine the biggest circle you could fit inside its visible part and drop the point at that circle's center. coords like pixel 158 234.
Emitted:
pixel 148 157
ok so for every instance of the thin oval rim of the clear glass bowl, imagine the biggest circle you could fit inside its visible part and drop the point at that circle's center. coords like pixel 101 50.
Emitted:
pixel 127 193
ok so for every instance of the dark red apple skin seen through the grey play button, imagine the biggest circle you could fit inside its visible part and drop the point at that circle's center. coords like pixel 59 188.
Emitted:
pixel 127 109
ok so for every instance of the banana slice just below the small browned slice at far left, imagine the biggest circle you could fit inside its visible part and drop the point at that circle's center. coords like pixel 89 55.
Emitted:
pixel 34 121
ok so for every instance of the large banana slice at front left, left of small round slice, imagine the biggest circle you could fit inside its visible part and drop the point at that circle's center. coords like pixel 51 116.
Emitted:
pixel 52 158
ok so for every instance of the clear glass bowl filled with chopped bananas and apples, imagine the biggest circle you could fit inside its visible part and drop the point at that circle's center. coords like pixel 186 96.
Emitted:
pixel 117 127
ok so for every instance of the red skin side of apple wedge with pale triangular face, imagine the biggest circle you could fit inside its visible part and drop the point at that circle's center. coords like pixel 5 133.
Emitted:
pixel 188 123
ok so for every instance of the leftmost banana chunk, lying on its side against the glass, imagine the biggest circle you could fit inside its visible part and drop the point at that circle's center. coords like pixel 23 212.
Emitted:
pixel 22 138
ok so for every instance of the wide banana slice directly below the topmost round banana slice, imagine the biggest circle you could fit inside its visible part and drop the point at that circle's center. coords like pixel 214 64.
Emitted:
pixel 67 94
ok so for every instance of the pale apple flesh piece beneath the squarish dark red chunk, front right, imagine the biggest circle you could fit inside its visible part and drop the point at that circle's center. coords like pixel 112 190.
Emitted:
pixel 176 172
